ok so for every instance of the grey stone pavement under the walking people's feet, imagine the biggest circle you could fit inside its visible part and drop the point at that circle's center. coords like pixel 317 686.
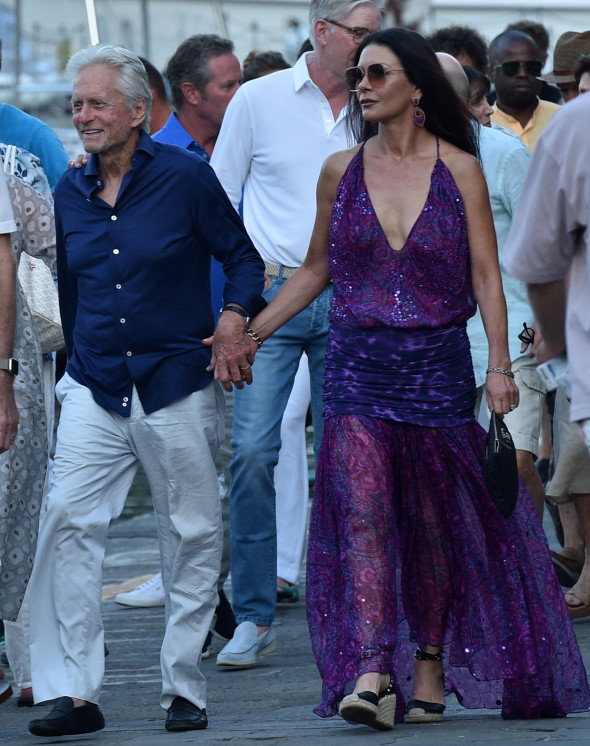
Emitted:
pixel 267 705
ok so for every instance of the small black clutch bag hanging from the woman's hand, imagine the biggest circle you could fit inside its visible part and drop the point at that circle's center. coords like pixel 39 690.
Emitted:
pixel 500 471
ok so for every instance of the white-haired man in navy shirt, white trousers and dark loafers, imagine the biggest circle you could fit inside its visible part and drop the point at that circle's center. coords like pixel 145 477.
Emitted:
pixel 136 230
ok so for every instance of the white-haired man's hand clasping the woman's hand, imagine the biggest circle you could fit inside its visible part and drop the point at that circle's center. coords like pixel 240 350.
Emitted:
pixel 232 352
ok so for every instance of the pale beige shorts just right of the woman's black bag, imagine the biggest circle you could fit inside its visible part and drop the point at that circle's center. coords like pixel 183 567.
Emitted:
pixel 524 423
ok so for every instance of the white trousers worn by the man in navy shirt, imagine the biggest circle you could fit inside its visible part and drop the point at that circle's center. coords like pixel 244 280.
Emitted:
pixel 97 455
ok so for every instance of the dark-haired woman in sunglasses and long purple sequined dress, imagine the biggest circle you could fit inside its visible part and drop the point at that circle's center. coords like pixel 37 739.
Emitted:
pixel 417 587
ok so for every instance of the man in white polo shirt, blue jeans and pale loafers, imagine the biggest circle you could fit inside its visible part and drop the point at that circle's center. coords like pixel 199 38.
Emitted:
pixel 276 133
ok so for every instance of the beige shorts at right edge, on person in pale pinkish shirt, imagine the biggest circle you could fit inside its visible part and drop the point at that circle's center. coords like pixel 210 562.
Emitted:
pixel 572 461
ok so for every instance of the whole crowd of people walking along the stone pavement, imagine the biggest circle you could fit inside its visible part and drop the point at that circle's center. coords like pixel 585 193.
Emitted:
pixel 389 236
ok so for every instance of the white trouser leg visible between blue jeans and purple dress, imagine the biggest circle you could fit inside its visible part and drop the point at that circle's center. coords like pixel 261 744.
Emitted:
pixel 291 478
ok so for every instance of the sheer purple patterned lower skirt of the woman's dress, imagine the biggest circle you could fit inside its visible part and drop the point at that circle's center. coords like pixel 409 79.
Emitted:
pixel 406 548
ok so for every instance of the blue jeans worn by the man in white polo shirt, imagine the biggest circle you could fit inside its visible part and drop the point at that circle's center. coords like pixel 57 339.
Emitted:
pixel 258 411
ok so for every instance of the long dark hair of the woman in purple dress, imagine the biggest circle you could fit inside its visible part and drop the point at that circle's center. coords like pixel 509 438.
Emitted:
pixel 447 115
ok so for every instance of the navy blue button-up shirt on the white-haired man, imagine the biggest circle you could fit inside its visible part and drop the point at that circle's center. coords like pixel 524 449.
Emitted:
pixel 134 278
